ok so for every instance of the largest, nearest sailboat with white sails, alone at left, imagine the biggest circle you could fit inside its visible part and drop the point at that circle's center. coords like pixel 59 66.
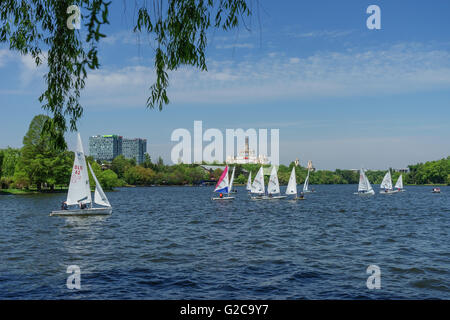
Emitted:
pixel 80 190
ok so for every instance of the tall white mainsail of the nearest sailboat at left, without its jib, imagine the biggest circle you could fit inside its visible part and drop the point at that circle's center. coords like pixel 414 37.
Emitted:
pixel 79 188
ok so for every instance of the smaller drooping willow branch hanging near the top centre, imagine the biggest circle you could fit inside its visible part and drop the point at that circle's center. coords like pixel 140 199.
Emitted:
pixel 180 34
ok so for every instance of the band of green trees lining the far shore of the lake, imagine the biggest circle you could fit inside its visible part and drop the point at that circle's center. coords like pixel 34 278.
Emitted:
pixel 39 166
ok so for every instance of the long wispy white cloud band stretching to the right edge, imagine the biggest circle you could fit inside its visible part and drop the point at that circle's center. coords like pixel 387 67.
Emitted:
pixel 398 69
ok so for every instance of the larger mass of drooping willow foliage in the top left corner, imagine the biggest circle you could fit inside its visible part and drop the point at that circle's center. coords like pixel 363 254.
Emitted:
pixel 39 28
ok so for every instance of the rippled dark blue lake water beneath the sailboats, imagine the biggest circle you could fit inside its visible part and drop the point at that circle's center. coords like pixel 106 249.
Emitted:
pixel 175 243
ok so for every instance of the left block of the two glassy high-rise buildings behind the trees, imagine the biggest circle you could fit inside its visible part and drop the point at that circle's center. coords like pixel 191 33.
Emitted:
pixel 105 147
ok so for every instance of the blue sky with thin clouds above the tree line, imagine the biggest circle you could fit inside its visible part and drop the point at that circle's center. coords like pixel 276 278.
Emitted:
pixel 341 95
